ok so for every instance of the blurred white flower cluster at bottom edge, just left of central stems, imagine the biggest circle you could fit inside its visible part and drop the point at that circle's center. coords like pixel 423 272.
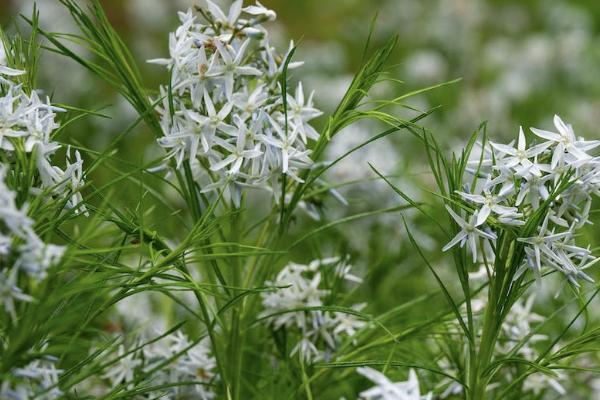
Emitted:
pixel 180 360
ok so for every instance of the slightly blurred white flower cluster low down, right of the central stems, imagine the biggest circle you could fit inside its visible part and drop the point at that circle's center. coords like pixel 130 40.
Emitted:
pixel 301 286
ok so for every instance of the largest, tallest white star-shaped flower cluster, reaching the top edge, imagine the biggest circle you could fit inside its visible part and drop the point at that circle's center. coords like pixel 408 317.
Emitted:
pixel 224 109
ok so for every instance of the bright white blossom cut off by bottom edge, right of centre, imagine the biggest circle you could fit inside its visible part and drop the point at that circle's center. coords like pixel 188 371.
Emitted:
pixel 385 389
